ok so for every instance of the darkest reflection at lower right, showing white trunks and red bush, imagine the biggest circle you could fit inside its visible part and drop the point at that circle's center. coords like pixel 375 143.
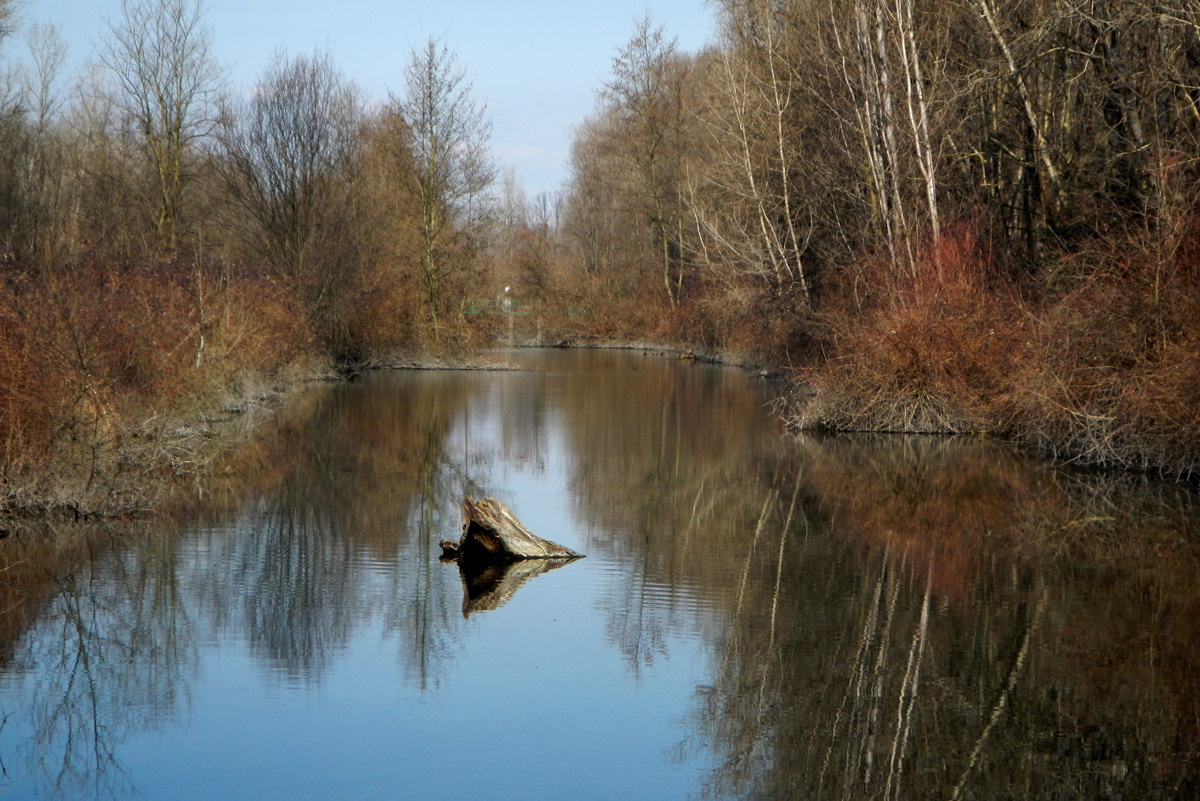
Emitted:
pixel 939 619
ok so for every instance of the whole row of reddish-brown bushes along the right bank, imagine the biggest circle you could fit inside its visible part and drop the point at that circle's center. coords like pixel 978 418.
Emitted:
pixel 1102 369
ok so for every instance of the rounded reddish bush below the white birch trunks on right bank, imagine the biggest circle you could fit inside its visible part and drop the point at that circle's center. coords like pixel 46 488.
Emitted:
pixel 929 350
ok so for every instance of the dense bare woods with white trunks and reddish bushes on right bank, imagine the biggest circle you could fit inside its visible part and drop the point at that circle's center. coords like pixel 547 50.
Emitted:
pixel 956 216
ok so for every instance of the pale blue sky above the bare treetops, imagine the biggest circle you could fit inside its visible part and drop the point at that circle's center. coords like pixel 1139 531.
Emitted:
pixel 537 64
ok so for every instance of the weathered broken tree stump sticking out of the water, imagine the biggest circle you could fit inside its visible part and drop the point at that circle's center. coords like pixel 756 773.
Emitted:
pixel 491 533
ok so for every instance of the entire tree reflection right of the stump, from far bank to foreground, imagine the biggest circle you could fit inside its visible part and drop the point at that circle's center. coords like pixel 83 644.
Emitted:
pixel 893 617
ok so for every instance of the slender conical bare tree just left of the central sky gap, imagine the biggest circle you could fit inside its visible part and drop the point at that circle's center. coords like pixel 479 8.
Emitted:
pixel 451 166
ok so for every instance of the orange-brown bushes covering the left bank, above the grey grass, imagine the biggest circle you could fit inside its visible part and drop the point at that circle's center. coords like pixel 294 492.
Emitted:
pixel 103 360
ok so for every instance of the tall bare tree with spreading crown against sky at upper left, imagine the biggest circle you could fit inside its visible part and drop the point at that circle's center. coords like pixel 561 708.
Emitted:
pixel 159 53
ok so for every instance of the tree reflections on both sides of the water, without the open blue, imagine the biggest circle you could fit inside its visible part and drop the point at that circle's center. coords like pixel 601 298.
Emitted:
pixel 886 618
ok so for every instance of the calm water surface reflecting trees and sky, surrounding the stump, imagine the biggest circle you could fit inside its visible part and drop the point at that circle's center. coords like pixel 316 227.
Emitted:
pixel 759 616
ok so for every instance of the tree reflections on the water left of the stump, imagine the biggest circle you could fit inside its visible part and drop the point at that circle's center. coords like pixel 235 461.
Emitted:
pixel 343 490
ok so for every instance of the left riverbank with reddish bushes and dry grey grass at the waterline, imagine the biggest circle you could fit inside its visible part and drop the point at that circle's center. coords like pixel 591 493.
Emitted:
pixel 122 382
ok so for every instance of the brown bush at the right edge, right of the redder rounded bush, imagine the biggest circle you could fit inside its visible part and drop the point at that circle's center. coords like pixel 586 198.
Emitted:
pixel 1115 378
